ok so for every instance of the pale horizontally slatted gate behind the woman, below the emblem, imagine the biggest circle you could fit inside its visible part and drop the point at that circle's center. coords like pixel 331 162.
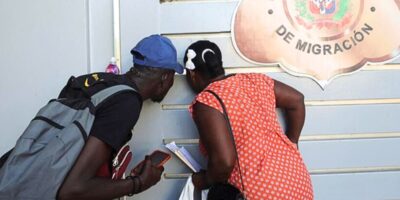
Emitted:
pixel 351 134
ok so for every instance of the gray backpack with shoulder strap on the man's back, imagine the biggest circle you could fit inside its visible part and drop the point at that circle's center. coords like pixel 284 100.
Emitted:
pixel 49 146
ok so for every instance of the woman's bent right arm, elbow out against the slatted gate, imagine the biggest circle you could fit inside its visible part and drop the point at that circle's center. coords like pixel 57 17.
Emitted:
pixel 292 102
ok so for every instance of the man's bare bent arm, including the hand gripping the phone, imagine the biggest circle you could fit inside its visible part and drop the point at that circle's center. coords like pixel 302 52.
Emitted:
pixel 81 182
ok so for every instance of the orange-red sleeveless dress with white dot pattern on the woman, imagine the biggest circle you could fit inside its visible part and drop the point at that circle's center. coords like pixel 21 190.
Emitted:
pixel 272 166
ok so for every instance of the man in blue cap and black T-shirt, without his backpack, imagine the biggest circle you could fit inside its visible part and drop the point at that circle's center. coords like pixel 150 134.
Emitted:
pixel 155 63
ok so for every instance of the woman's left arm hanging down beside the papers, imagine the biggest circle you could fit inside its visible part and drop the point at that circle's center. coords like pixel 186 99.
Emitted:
pixel 216 138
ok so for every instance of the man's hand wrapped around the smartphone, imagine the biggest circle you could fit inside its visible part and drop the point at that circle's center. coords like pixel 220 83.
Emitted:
pixel 149 175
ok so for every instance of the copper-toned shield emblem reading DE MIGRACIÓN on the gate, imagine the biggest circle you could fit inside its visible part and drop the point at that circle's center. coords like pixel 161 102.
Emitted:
pixel 320 39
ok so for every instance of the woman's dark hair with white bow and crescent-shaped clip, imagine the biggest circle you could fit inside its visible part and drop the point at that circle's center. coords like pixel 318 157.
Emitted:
pixel 205 57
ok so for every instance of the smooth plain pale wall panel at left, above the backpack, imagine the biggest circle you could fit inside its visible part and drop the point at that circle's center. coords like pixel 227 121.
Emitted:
pixel 43 43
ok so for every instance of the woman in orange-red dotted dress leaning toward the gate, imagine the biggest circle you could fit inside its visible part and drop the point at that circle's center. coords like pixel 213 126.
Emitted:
pixel 271 166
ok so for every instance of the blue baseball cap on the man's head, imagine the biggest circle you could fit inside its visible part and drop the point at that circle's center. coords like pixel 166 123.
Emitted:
pixel 156 51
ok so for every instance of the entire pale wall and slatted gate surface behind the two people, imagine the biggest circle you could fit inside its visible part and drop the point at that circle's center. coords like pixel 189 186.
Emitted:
pixel 43 42
